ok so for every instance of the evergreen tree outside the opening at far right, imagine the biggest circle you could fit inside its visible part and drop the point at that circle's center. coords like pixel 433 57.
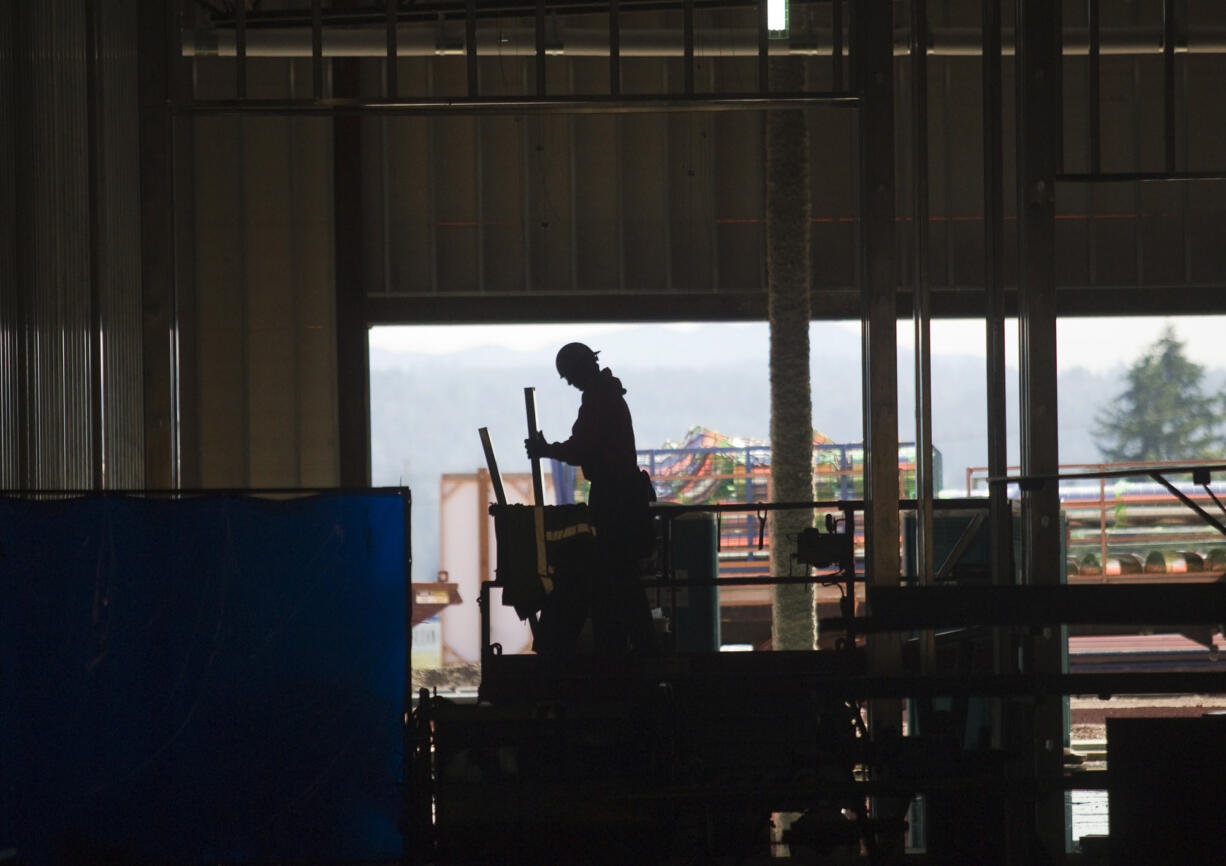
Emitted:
pixel 1163 414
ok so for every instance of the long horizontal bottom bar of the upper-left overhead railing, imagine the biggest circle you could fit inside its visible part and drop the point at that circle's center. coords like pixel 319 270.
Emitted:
pixel 569 105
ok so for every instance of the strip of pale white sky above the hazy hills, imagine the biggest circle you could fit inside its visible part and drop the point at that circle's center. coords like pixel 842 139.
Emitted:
pixel 1093 344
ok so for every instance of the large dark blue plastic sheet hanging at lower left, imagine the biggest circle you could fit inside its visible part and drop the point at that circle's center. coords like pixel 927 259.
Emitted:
pixel 207 680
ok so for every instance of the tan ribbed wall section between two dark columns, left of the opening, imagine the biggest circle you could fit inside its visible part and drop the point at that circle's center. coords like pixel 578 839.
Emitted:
pixel 264 313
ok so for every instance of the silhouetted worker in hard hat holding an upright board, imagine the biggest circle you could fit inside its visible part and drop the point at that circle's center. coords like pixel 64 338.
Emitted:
pixel 603 445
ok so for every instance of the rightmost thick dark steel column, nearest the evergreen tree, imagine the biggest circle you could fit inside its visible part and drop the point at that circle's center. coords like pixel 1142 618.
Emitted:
pixel 1039 105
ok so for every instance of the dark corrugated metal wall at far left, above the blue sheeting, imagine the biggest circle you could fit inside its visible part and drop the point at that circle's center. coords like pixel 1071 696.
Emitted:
pixel 68 312
